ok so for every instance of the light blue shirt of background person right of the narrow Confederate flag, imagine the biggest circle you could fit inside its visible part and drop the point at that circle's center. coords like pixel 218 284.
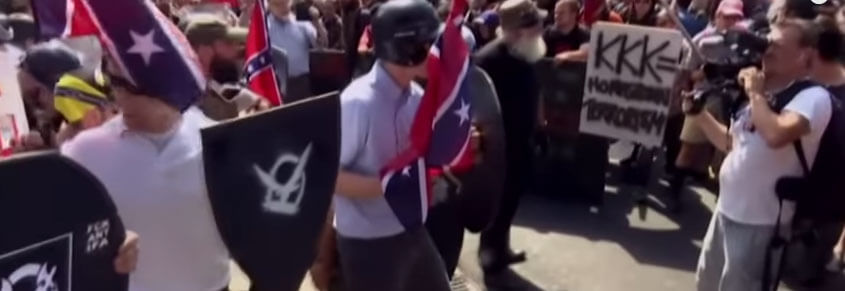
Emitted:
pixel 296 38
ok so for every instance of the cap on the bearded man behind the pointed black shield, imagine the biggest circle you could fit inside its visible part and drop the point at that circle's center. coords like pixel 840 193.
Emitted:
pixel 204 28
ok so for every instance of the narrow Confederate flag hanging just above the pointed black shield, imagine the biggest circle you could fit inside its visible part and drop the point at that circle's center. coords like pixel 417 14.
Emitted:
pixel 259 73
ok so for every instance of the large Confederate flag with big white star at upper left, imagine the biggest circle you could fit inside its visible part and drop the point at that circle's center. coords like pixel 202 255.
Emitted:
pixel 150 51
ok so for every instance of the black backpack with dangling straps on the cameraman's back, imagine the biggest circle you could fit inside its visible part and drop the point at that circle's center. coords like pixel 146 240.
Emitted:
pixel 819 194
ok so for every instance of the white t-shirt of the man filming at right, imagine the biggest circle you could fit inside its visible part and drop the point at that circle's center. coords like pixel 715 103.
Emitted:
pixel 751 169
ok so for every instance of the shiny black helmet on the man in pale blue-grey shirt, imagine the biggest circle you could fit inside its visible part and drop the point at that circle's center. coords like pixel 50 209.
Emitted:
pixel 403 31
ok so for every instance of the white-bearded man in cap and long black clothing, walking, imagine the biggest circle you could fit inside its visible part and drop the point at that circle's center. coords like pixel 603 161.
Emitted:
pixel 509 61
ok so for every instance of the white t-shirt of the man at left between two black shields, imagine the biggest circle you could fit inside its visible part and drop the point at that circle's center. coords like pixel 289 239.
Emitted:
pixel 160 193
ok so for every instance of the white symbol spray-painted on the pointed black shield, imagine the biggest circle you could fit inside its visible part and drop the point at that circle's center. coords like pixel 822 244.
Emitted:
pixel 284 198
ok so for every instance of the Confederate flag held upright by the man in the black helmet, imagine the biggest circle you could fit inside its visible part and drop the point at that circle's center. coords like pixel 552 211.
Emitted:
pixel 440 133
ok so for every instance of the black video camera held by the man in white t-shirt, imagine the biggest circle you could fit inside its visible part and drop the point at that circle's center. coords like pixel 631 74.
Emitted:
pixel 746 49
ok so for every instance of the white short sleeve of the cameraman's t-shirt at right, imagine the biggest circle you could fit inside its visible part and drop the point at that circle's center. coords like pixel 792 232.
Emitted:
pixel 813 104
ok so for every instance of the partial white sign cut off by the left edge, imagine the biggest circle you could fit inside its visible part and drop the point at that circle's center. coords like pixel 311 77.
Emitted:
pixel 12 115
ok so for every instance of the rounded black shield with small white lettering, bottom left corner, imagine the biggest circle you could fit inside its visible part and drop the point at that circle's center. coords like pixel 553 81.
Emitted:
pixel 59 227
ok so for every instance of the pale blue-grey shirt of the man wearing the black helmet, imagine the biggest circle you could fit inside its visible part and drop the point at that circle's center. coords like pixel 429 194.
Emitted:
pixel 376 117
